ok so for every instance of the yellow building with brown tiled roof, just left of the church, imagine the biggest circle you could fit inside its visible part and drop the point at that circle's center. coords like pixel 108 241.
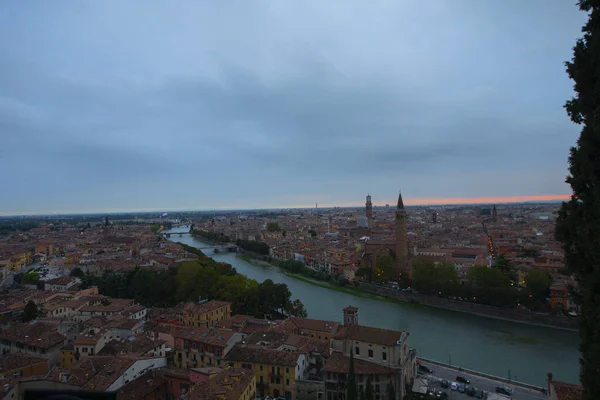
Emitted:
pixel 276 370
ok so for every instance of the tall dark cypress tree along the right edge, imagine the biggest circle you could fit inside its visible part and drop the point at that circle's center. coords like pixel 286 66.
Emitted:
pixel 578 222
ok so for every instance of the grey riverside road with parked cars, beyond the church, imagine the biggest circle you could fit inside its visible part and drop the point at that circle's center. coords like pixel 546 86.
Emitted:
pixel 488 385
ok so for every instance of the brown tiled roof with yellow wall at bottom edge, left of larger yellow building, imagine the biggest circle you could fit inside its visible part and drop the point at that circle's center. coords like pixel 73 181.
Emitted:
pixel 229 384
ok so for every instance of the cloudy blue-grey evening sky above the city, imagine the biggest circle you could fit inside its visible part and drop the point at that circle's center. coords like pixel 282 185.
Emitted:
pixel 142 105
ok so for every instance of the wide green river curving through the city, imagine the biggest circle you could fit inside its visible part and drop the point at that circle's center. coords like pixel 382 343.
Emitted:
pixel 492 346
